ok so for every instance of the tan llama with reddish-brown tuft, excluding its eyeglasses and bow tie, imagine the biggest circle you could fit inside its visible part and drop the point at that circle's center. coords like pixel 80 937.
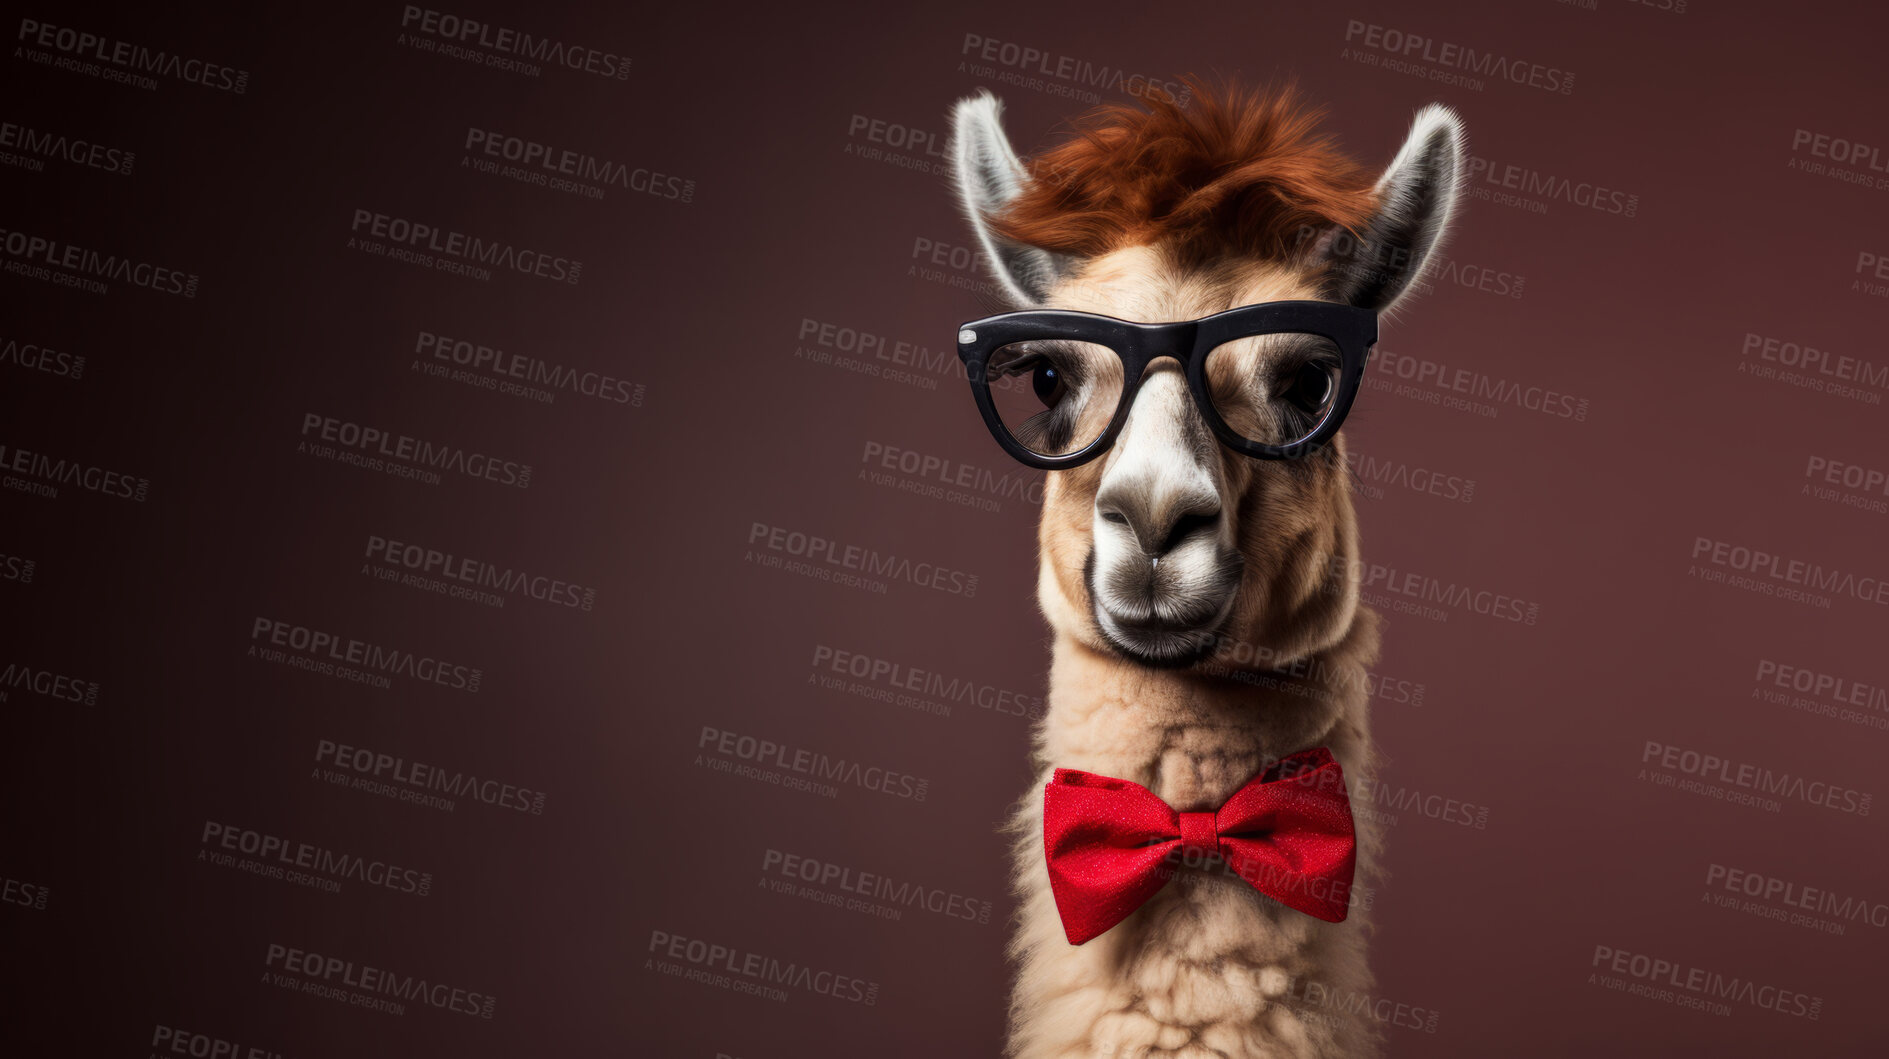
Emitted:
pixel 1202 614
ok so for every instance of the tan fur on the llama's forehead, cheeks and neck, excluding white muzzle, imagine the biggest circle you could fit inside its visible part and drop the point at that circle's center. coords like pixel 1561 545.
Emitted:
pixel 1208 967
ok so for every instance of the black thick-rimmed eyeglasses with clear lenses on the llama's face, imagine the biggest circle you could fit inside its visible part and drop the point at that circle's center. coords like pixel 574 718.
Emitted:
pixel 1272 380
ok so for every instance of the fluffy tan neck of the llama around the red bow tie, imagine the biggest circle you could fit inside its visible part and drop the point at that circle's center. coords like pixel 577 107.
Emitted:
pixel 1208 967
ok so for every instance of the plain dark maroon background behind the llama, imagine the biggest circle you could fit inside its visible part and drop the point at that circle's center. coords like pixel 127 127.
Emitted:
pixel 702 303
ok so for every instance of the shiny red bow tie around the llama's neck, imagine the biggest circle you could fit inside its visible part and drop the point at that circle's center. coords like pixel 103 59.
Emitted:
pixel 1112 843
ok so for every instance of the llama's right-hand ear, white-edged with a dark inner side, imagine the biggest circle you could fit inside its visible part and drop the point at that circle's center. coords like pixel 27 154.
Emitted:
pixel 1416 199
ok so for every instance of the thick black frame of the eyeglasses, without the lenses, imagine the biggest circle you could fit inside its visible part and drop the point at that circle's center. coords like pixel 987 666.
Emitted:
pixel 1140 345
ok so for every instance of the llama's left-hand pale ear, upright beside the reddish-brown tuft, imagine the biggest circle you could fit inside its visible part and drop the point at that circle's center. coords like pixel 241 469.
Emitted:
pixel 989 178
